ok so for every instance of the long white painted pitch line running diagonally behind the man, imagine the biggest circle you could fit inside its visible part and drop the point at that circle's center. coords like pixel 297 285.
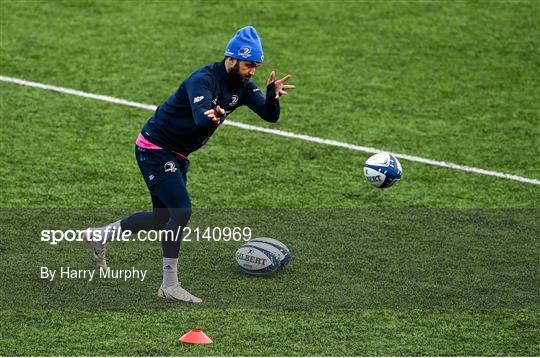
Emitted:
pixel 281 133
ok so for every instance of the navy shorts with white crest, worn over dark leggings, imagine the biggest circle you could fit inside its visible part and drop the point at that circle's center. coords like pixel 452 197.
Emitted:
pixel 157 165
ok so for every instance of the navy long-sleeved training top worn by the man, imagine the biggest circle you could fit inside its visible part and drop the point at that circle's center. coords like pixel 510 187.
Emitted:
pixel 179 123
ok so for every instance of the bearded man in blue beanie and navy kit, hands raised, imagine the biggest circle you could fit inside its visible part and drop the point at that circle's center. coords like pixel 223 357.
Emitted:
pixel 181 125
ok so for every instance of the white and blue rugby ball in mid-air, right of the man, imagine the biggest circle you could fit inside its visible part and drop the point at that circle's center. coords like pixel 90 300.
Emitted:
pixel 382 170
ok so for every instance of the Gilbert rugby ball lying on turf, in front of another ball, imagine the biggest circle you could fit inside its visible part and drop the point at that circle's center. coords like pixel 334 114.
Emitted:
pixel 256 261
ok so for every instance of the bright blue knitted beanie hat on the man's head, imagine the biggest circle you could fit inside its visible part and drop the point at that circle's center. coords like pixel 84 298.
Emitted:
pixel 245 45
